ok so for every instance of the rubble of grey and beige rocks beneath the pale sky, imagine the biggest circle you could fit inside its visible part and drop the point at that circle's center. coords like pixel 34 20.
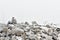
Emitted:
pixel 25 31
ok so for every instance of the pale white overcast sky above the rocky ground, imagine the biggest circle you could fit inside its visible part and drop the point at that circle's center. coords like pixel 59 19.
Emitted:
pixel 30 10
